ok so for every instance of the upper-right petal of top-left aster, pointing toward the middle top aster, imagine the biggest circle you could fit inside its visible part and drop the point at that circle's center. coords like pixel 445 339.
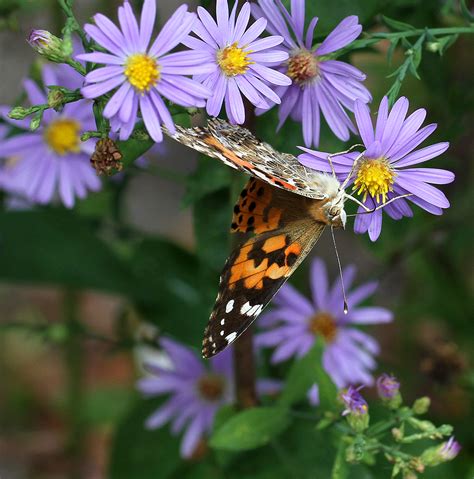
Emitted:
pixel 173 32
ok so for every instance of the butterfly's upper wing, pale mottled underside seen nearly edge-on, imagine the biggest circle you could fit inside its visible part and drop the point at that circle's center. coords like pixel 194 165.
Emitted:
pixel 238 148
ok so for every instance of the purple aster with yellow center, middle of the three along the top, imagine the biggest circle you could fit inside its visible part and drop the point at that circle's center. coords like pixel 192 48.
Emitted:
pixel 238 59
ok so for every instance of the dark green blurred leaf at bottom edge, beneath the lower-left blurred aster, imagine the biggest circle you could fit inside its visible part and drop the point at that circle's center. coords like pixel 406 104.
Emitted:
pixel 142 454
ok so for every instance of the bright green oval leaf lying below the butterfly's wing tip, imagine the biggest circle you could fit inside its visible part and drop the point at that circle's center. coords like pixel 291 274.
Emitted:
pixel 250 429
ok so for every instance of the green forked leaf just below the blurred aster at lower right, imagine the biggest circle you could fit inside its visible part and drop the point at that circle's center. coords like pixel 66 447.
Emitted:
pixel 303 374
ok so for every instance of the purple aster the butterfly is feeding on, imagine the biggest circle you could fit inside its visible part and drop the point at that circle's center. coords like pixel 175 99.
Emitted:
pixel 382 173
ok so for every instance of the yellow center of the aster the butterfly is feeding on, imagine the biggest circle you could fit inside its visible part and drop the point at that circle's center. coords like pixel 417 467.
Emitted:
pixel 374 177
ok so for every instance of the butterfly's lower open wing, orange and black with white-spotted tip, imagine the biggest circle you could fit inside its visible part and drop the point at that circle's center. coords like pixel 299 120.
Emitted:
pixel 260 266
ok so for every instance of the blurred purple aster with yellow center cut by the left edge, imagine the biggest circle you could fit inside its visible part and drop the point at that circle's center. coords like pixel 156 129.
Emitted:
pixel 51 160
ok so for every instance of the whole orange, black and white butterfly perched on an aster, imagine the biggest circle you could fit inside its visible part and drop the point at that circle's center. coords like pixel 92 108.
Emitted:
pixel 285 207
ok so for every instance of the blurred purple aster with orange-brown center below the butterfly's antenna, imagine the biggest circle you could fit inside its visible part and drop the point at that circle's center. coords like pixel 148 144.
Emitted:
pixel 296 322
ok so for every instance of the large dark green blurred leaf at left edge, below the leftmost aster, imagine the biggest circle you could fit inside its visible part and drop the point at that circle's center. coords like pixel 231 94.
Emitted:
pixel 58 247
